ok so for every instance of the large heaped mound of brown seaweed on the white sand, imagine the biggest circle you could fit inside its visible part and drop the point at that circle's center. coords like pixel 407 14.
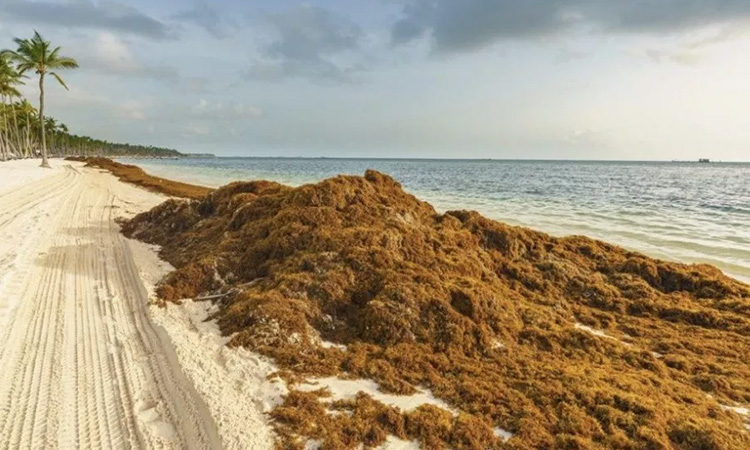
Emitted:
pixel 568 343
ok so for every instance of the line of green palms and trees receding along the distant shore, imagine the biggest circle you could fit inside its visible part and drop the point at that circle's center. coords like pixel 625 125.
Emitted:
pixel 25 131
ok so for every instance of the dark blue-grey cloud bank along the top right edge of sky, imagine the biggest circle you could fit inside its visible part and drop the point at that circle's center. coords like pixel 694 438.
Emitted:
pixel 469 25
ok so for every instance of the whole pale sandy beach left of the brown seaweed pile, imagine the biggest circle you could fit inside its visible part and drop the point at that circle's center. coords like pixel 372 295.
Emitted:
pixel 82 363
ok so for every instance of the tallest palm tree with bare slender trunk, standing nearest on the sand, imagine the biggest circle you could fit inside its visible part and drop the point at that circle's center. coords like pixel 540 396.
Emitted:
pixel 36 54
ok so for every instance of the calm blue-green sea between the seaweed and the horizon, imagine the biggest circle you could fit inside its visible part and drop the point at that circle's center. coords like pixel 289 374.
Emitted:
pixel 687 212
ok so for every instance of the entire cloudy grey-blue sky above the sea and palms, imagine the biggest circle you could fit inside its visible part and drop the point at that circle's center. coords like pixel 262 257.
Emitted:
pixel 531 79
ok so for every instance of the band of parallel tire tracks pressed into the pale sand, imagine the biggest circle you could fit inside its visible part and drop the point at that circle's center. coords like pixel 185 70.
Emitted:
pixel 81 364
